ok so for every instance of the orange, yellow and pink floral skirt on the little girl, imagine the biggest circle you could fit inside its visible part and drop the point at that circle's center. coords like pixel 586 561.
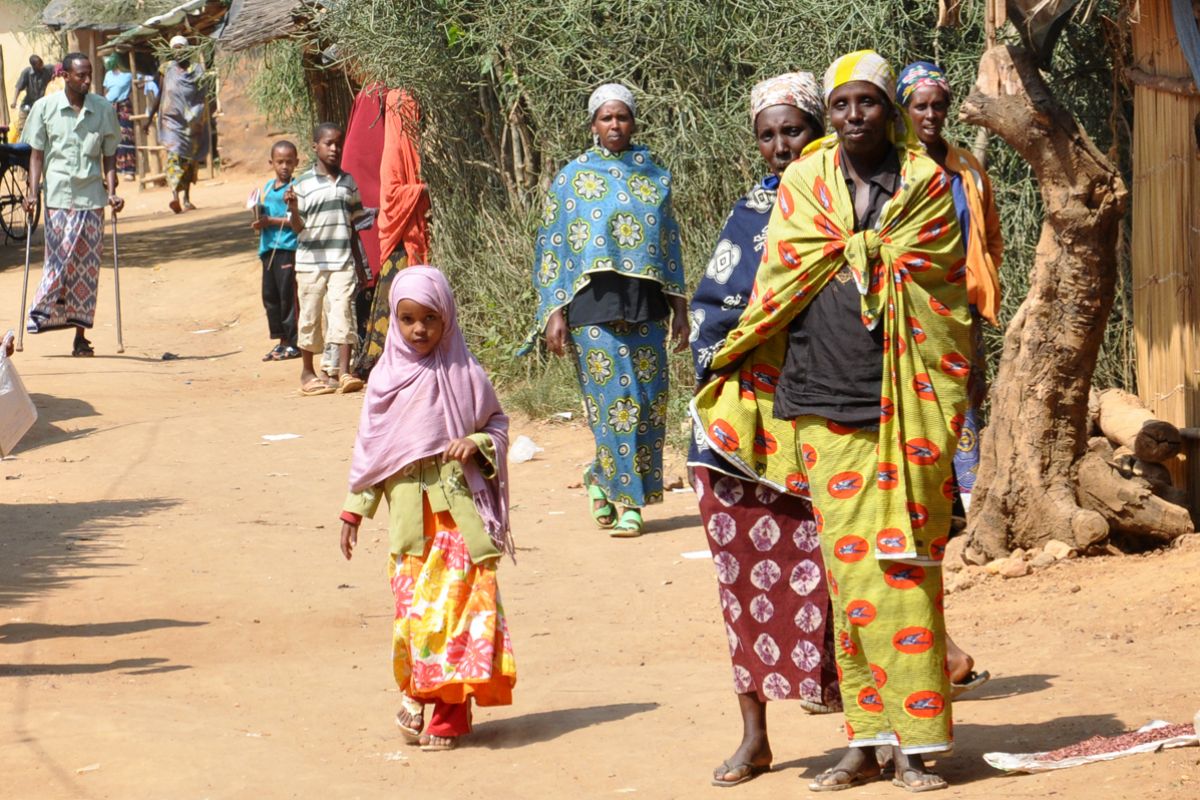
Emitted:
pixel 451 641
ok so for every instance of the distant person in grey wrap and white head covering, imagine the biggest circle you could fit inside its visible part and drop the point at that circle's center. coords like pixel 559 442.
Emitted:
pixel 183 110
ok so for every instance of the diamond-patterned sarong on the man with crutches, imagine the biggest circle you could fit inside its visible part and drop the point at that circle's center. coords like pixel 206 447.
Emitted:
pixel 67 297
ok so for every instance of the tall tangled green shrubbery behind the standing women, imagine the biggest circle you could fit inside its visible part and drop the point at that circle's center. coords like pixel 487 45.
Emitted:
pixel 503 87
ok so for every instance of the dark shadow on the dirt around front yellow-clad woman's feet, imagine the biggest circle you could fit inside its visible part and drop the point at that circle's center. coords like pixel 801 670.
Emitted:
pixel 971 742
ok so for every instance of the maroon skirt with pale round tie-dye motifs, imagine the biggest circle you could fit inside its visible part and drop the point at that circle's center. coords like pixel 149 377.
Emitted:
pixel 775 600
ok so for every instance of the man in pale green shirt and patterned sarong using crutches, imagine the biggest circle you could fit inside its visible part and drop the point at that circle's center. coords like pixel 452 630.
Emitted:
pixel 74 136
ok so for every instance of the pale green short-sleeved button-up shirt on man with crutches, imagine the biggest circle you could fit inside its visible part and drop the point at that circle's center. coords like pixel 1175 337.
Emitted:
pixel 75 145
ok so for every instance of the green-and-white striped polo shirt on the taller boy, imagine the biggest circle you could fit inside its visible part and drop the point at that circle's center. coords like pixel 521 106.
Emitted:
pixel 329 208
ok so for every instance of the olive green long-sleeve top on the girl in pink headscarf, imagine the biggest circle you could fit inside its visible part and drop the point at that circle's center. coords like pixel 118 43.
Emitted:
pixel 445 485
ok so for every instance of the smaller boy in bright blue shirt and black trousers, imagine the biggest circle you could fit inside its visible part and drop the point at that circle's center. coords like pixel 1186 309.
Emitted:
pixel 278 251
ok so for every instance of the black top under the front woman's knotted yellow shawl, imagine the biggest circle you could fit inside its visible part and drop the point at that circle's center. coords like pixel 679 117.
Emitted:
pixel 835 366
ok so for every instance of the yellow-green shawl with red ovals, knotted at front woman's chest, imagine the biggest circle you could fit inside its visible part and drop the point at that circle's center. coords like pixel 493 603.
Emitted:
pixel 911 274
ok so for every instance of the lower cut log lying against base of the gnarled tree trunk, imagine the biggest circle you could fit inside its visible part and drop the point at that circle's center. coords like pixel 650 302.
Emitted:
pixel 1129 506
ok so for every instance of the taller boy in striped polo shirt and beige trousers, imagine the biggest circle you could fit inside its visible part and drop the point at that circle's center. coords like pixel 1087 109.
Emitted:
pixel 323 206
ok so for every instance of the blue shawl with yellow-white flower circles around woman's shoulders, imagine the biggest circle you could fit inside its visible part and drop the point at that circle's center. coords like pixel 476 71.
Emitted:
pixel 605 212
